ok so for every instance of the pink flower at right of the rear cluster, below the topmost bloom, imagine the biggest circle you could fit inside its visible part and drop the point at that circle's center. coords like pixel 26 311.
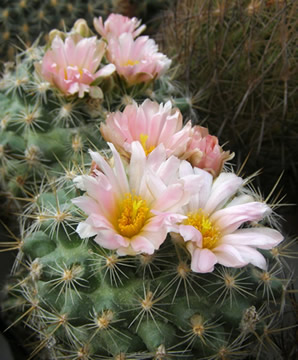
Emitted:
pixel 138 61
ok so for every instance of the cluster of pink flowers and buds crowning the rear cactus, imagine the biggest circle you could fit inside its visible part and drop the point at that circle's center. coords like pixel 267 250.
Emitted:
pixel 74 62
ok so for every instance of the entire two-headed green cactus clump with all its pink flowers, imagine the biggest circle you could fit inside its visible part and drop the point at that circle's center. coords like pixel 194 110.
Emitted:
pixel 173 270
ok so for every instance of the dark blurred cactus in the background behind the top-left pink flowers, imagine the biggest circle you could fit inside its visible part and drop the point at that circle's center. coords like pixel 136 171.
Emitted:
pixel 35 18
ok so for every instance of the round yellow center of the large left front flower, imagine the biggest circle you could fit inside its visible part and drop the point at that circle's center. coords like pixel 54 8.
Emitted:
pixel 134 213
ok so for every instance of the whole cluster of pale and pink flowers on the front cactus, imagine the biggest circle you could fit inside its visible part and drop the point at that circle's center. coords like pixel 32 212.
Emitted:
pixel 169 178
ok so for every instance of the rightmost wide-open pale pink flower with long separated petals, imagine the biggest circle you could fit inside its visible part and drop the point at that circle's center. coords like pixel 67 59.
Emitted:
pixel 213 217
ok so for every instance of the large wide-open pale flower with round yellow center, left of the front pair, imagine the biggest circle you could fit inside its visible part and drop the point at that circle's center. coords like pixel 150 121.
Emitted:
pixel 130 208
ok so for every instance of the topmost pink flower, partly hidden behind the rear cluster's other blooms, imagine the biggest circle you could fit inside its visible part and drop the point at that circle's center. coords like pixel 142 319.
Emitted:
pixel 117 24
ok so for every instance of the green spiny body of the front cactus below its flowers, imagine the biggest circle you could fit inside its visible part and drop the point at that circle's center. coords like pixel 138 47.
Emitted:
pixel 85 302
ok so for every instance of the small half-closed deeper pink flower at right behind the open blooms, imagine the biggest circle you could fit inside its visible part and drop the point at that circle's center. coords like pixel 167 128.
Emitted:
pixel 204 152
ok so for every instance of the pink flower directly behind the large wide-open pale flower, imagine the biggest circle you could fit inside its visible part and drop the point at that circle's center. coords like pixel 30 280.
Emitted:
pixel 151 124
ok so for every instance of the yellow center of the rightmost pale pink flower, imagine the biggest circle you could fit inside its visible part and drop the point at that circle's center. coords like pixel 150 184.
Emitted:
pixel 201 222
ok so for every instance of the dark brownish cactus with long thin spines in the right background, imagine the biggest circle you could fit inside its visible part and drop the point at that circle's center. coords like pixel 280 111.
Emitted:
pixel 240 62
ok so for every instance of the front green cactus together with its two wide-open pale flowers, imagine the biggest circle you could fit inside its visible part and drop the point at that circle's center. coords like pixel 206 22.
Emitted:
pixel 150 297
